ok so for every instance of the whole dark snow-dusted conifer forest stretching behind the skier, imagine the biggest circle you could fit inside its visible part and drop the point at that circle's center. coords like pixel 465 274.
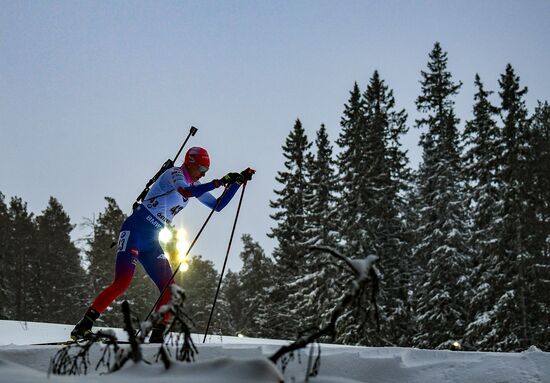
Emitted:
pixel 463 241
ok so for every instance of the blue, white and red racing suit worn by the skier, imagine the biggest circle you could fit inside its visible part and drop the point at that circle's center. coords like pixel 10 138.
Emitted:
pixel 138 237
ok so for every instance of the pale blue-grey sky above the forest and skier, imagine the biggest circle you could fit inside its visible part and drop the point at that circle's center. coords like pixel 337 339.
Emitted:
pixel 96 95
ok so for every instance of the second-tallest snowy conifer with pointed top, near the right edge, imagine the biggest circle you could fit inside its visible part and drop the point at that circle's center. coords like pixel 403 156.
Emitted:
pixel 516 244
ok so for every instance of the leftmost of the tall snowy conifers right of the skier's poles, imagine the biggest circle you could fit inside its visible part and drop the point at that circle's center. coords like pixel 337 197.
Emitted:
pixel 289 232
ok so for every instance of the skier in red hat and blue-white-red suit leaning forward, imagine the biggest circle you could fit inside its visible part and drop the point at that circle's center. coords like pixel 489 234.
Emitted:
pixel 138 237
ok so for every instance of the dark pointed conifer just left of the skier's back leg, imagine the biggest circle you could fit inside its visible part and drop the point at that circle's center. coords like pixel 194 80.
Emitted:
pixel 58 266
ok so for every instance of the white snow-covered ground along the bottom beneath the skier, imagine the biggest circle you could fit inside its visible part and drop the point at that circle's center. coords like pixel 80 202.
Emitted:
pixel 232 359
